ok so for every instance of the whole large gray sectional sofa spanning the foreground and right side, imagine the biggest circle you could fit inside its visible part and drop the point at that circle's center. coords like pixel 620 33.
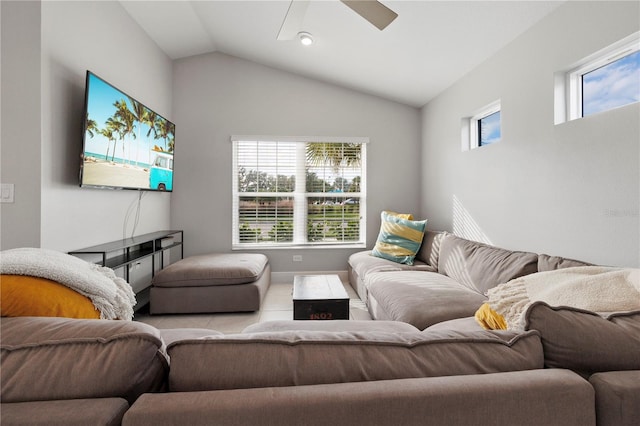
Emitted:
pixel 419 363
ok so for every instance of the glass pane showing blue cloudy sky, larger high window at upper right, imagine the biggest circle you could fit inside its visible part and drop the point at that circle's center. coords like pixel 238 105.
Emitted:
pixel 612 85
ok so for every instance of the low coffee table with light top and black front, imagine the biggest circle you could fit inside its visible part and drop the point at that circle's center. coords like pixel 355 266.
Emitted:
pixel 319 297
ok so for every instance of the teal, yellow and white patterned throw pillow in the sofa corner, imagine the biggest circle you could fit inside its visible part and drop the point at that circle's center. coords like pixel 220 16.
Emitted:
pixel 400 237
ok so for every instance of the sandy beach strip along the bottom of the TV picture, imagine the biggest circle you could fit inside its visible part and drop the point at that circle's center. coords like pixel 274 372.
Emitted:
pixel 103 173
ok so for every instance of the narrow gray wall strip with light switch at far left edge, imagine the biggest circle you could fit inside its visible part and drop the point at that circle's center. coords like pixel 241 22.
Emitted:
pixel 20 134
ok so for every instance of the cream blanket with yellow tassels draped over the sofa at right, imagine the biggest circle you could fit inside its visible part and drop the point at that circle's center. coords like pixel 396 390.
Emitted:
pixel 594 288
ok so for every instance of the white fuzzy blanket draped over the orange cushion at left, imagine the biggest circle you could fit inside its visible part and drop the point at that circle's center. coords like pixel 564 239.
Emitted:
pixel 111 295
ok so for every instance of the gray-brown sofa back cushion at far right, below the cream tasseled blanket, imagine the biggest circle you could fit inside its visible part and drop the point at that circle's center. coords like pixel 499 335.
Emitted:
pixel 584 341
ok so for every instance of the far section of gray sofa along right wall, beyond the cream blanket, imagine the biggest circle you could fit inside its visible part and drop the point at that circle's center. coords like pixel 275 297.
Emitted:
pixel 448 280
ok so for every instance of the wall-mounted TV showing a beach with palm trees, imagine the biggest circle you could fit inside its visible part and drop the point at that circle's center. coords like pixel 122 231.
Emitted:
pixel 125 144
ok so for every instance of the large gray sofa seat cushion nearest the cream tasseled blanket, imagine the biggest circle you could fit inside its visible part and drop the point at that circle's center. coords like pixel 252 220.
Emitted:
pixel 419 298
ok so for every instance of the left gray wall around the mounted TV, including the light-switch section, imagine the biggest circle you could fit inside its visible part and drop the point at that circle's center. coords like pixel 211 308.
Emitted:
pixel 52 44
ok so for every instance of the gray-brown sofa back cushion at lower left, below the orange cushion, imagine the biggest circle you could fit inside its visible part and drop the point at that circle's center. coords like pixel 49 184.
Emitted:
pixel 61 358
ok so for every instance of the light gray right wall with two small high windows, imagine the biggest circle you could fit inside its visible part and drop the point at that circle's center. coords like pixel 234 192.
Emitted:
pixel 571 189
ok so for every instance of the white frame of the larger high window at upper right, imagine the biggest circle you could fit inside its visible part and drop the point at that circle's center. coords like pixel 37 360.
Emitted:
pixel 569 82
